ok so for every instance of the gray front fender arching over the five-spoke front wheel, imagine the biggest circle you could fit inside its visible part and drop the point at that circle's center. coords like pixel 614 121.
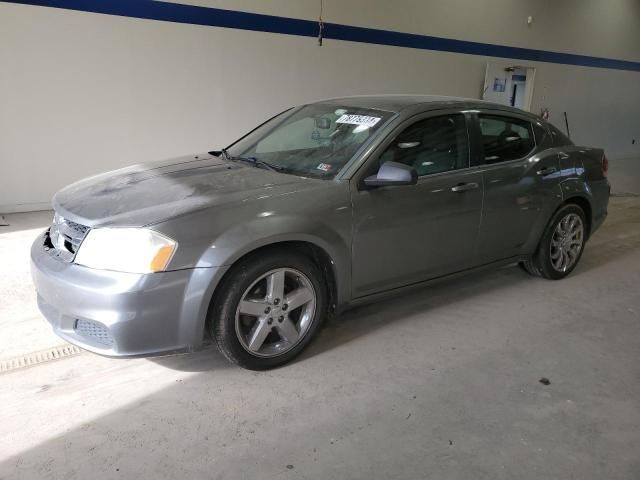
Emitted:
pixel 211 240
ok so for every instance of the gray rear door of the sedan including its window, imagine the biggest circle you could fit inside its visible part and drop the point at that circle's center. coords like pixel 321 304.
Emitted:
pixel 521 176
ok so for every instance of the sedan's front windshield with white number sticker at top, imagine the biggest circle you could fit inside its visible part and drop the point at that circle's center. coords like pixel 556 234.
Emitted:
pixel 313 140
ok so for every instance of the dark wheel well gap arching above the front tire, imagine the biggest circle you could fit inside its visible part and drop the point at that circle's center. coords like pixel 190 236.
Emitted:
pixel 317 254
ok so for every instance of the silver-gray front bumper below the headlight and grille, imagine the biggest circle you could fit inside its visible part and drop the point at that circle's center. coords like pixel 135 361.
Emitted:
pixel 121 314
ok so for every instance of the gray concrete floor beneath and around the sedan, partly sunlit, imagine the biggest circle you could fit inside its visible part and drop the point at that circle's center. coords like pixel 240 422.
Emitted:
pixel 442 383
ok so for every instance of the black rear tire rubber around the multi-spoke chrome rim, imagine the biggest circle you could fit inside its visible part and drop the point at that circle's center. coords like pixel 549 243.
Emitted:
pixel 540 263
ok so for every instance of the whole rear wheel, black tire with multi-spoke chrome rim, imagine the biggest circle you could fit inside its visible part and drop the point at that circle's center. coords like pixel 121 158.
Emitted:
pixel 561 246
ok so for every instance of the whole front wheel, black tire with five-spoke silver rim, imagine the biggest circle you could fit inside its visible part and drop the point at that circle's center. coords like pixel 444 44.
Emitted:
pixel 267 309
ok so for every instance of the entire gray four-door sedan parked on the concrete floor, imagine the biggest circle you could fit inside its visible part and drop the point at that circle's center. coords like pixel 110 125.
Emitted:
pixel 321 207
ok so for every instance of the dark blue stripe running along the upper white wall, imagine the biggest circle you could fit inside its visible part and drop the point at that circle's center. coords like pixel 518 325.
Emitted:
pixel 215 17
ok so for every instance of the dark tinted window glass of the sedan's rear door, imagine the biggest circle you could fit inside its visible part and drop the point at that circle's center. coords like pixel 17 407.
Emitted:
pixel 505 138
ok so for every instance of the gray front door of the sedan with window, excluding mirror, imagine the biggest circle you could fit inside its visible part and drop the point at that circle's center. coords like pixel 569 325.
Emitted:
pixel 407 234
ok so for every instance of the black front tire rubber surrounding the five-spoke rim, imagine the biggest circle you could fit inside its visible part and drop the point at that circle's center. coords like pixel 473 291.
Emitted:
pixel 221 319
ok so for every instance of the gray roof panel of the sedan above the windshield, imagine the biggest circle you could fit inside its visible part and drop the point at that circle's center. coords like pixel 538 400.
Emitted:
pixel 397 103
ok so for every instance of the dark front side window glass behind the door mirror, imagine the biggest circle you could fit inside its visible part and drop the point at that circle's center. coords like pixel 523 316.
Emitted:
pixel 433 145
